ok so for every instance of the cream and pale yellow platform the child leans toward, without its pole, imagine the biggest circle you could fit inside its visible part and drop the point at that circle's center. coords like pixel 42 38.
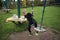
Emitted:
pixel 15 18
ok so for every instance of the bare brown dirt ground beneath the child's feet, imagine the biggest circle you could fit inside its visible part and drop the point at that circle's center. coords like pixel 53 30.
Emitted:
pixel 48 35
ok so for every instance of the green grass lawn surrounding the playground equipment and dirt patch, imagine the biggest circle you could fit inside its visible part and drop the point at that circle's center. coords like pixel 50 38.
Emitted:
pixel 51 19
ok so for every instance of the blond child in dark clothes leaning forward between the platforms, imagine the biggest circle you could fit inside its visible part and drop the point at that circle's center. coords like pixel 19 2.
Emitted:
pixel 31 21
